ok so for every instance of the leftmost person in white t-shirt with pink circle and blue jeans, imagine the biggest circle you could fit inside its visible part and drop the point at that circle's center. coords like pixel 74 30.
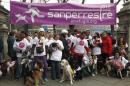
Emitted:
pixel 21 46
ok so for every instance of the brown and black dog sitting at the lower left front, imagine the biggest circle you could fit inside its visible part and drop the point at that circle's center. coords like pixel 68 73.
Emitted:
pixel 35 76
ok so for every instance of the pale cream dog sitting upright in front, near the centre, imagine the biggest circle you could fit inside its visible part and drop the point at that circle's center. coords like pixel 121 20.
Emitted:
pixel 67 71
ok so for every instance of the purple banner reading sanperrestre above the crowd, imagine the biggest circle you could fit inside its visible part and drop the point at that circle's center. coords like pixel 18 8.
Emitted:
pixel 62 13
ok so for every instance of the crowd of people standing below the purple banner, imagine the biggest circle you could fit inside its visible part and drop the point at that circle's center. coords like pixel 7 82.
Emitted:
pixel 100 50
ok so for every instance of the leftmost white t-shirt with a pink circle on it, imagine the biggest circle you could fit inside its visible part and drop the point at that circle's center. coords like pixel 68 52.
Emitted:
pixel 21 45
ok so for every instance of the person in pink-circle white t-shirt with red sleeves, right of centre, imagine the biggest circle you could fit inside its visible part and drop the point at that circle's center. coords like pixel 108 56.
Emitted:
pixel 81 47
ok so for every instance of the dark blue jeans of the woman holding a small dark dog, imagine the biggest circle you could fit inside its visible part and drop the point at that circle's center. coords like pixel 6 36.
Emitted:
pixel 55 69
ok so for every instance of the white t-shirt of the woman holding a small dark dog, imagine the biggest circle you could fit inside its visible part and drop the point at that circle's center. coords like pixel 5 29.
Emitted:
pixel 57 54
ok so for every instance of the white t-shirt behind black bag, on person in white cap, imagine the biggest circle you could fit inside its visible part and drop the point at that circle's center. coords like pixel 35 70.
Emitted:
pixel 36 41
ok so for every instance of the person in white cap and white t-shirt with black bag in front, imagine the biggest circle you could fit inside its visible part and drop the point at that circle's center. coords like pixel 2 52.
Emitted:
pixel 39 51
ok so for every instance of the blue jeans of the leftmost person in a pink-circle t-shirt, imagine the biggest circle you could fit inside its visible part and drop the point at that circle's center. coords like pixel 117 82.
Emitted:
pixel 18 68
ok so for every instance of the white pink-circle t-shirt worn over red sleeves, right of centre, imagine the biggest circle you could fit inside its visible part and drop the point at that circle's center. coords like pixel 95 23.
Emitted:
pixel 80 45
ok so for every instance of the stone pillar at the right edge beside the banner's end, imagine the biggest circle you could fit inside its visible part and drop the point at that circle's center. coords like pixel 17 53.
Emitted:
pixel 124 23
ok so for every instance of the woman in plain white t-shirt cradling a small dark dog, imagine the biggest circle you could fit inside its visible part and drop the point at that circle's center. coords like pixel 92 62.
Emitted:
pixel 56 56
